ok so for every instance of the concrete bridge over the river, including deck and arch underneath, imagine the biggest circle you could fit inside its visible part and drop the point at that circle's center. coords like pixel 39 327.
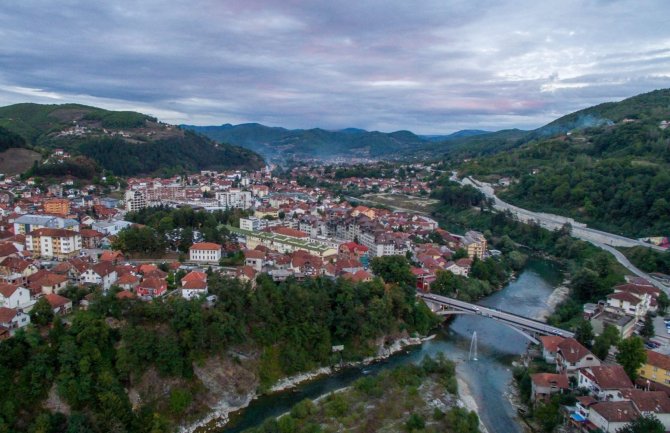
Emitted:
pixel 529 328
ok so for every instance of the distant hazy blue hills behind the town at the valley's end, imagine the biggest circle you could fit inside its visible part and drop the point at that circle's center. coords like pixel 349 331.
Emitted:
pixel 279 143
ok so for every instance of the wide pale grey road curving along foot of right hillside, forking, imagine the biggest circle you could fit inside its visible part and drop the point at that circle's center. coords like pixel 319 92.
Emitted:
pixel 601 239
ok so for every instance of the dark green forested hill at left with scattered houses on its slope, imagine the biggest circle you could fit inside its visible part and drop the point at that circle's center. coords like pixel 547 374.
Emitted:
pixel 125 142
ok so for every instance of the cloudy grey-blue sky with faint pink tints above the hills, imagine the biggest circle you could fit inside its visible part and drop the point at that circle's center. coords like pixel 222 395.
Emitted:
pixel 427 66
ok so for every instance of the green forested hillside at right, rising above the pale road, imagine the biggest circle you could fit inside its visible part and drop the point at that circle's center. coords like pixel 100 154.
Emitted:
pixel 608 166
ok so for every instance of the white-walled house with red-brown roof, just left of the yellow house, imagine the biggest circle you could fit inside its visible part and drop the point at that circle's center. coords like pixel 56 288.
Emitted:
pixel 604 381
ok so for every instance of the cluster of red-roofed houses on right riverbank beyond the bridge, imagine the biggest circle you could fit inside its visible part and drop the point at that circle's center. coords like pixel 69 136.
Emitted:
pixel 609 399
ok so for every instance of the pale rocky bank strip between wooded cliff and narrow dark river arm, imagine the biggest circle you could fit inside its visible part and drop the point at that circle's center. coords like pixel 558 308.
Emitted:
pixel 221 413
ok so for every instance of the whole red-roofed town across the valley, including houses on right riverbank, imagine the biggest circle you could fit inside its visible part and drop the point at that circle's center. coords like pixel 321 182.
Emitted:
pixel 65 235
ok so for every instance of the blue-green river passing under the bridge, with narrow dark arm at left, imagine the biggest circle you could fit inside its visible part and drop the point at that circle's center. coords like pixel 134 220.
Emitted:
pixel 488 379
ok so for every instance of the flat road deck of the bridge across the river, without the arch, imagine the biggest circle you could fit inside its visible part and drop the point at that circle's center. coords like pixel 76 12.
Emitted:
pixel 512 319
